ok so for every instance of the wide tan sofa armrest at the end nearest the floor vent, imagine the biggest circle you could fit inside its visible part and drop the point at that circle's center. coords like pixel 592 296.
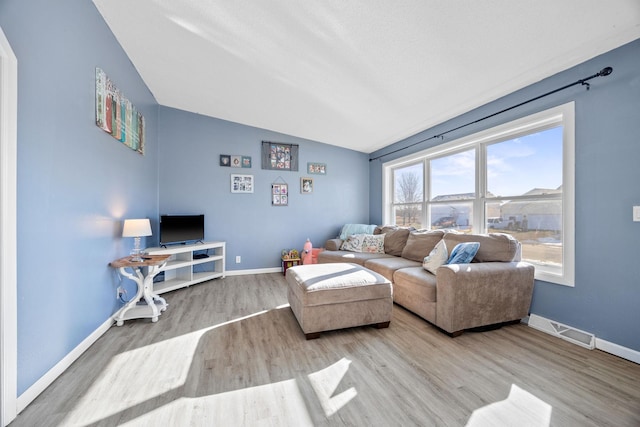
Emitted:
pixel 481 294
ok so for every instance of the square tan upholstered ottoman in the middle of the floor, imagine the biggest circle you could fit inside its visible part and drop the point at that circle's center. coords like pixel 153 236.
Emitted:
pixel 325 297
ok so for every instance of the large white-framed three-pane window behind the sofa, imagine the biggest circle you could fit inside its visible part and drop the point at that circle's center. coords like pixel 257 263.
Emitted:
pixel 517 178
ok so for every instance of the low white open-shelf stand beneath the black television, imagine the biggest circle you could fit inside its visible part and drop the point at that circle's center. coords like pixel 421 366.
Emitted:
pixel 183 260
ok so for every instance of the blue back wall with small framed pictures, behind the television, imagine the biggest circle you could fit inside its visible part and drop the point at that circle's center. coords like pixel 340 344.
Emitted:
pixel 191 181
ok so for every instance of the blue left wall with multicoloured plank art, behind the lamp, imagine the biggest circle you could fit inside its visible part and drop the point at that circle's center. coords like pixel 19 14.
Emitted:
pixel 75 182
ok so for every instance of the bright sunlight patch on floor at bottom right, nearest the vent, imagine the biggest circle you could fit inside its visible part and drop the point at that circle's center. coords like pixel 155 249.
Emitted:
pixel 520 408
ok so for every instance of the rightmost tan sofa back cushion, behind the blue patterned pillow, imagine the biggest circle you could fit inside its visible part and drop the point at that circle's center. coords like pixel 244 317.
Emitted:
pixel 494 247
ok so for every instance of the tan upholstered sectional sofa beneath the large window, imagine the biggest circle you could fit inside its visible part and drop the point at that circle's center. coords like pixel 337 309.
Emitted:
pixel 495 288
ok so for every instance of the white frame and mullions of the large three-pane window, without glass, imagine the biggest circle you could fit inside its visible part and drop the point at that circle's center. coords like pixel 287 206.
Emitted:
pixel 563 115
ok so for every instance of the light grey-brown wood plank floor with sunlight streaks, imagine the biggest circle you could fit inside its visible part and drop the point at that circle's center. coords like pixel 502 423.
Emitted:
pixel 229 352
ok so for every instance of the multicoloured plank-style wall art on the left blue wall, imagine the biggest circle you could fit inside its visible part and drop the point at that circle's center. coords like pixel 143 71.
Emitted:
pixel 116 115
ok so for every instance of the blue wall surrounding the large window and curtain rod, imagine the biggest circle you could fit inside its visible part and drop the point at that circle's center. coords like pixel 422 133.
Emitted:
pixel 606 295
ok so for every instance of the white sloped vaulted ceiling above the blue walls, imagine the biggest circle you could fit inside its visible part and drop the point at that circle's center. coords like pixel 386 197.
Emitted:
pixel 360 74
